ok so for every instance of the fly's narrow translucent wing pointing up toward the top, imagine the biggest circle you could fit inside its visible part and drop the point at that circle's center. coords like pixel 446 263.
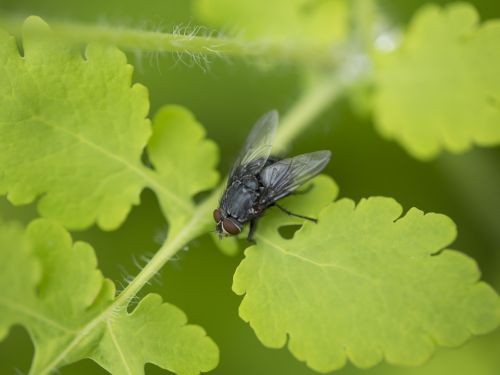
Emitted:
pixel 257 148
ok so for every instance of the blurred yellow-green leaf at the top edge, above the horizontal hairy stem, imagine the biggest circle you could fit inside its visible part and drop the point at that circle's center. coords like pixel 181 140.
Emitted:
pixel 316 22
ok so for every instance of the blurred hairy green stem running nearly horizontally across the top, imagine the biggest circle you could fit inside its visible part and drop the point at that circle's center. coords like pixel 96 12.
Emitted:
pixel 271 50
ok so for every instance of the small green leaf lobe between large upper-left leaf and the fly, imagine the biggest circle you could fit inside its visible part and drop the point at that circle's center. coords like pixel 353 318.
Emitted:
pixel 184 160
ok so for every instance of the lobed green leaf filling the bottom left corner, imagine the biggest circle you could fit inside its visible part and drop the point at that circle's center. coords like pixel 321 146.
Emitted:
pixel 67 307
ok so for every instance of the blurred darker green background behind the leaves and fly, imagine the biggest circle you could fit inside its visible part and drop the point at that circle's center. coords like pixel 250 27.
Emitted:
pixel 227 98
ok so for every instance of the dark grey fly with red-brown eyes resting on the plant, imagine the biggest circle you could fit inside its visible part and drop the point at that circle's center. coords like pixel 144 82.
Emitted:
pixel 258 180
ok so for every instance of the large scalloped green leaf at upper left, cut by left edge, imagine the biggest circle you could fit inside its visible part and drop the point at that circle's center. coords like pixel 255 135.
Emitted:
pixel 72 129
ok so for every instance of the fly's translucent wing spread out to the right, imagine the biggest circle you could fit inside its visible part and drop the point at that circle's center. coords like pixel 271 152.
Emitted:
pixel 284 176
